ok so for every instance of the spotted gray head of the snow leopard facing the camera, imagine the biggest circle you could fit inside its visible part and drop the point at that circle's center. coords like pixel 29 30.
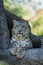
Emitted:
pixel 20 28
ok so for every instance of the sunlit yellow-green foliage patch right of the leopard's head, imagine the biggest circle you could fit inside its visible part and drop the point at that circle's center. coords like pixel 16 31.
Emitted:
pixel 37 26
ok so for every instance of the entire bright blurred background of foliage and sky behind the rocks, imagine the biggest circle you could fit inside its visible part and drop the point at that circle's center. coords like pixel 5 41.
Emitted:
pixel 31 10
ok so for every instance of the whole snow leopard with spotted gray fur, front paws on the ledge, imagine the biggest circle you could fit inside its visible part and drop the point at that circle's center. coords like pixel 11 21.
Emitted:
pixel 20 38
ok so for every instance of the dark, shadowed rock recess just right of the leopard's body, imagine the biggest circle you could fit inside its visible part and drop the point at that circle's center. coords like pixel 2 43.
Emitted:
pixel 36 40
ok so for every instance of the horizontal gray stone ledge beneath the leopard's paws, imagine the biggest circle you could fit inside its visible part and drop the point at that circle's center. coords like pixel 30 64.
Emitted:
pixel 32 57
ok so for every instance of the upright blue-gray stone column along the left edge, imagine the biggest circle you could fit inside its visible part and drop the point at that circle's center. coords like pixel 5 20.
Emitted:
pixel 4 33
